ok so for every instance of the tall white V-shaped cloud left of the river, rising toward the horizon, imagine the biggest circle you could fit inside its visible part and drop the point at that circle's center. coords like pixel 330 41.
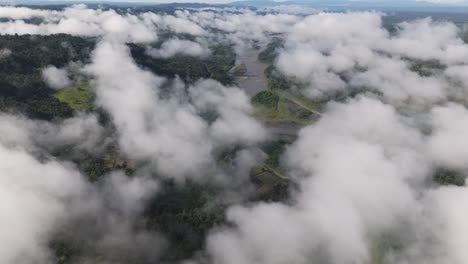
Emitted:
pixel 170 133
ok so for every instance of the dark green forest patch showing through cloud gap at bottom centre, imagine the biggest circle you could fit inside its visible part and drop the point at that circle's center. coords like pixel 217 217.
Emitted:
pixel 185 215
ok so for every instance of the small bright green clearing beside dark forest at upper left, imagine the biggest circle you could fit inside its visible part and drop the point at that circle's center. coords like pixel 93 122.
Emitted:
pixel 78 96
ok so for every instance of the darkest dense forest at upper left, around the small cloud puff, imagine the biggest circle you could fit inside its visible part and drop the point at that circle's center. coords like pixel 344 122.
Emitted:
pixel 21 85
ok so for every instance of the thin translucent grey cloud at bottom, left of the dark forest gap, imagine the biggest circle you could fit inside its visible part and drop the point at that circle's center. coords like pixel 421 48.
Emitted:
pixel 114 207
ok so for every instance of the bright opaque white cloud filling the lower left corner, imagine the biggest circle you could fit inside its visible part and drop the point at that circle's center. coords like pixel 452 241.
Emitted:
pixel 34 200
